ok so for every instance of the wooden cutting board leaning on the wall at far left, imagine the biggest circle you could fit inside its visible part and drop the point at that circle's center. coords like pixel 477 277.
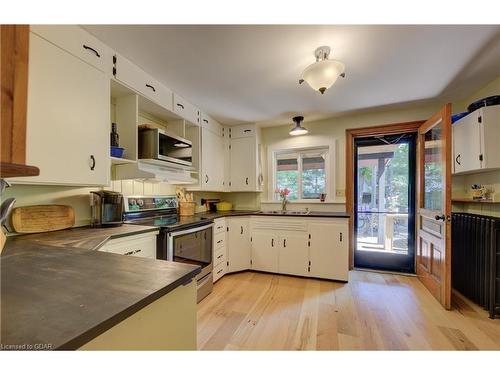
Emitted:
pixel 42 218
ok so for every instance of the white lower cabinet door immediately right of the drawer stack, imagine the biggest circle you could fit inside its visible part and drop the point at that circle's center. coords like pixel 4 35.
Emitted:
pixel 238 245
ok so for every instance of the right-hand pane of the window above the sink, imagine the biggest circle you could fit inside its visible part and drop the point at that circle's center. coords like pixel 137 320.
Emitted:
pixel 313 176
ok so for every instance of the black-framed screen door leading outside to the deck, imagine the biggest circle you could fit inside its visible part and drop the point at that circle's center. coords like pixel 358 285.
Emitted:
pixel 384 204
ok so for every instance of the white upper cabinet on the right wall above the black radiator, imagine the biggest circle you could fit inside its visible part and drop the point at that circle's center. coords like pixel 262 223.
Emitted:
pixel 476 140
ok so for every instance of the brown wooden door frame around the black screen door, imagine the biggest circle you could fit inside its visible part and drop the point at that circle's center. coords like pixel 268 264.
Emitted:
pixel 369 131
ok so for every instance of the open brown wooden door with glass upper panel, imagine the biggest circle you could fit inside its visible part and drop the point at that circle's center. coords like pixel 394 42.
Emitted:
pixel 433 261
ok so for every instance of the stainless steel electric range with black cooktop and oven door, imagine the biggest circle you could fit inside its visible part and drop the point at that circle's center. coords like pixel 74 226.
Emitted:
pixel 186 239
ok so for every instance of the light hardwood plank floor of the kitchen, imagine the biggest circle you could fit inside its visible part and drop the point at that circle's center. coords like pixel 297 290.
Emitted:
pixel 257 311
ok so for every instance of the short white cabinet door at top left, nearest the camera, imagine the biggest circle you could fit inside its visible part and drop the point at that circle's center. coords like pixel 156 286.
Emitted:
pixel 79 43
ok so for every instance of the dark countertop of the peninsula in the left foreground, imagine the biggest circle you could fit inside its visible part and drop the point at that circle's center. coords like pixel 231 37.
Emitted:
pixel 66 296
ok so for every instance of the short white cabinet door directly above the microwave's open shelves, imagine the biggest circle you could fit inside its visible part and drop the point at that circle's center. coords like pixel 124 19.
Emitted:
pixel 136 78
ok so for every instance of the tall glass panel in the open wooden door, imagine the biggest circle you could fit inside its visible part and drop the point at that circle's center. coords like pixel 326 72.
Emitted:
pixel 433 168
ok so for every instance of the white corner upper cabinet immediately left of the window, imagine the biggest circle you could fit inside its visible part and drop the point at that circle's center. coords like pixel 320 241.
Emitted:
pixel 245 159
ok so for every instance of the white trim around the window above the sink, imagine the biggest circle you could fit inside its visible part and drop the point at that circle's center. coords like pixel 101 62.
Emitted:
pixel 304 144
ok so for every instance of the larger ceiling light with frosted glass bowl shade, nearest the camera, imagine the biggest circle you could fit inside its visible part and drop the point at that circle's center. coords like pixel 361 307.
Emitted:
pixel 322 74
